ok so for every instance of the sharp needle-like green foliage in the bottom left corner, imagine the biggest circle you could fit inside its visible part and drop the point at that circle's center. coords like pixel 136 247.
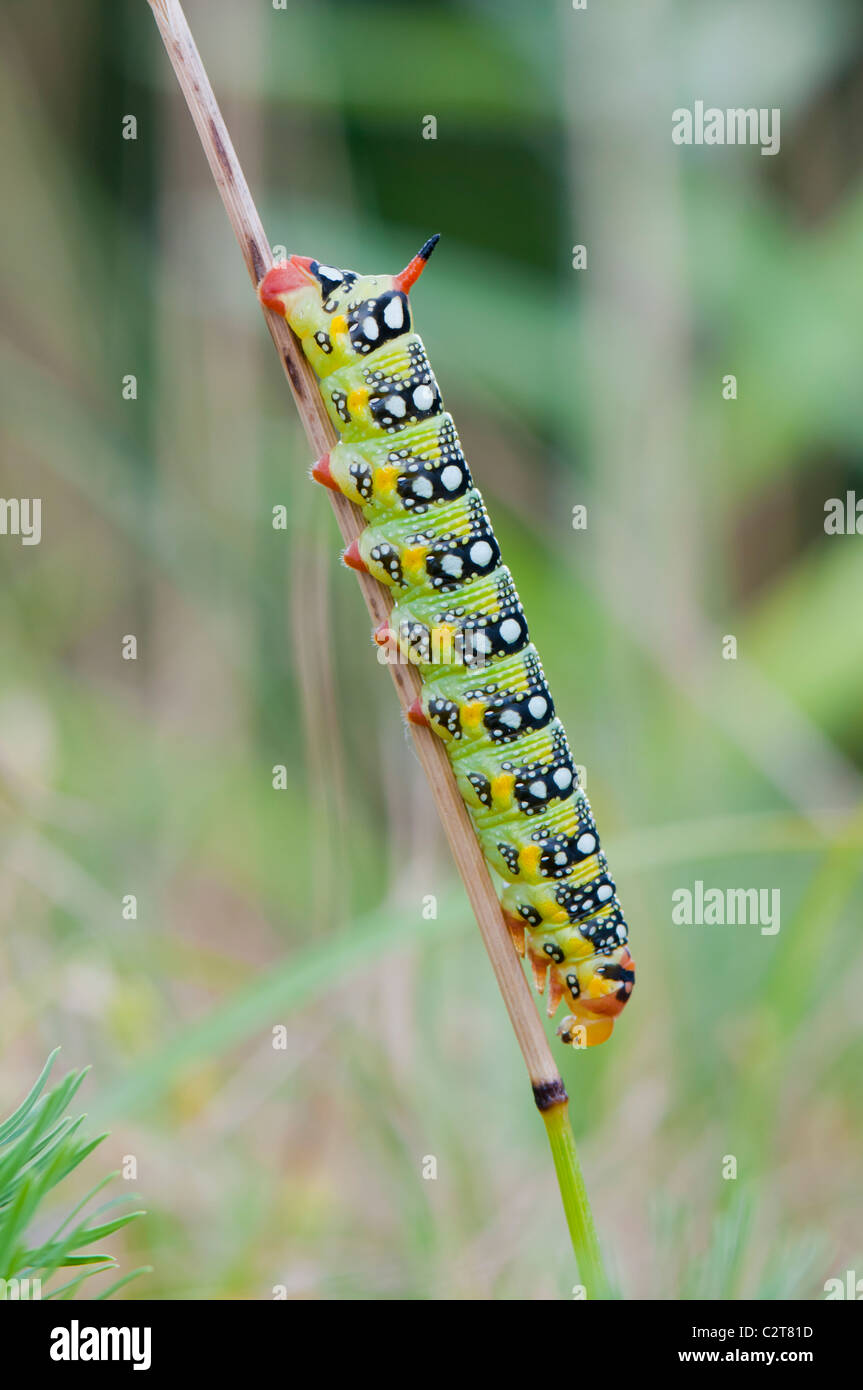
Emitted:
pixel 41 1145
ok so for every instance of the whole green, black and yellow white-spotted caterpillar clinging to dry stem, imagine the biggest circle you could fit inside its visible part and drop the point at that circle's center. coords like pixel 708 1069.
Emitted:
pixel 459 619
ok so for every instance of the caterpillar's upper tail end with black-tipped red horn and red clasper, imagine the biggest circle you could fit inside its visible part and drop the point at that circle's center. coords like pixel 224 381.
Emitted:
pixel 338 315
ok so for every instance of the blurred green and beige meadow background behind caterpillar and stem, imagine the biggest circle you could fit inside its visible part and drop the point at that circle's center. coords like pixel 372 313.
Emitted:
pixel 301 910
